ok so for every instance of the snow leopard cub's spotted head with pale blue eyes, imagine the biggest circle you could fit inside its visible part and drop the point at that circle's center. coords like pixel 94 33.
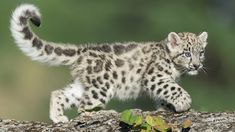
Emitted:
pixel 187 51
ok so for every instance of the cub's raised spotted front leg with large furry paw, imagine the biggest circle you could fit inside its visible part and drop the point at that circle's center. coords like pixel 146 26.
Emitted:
pixel 169 94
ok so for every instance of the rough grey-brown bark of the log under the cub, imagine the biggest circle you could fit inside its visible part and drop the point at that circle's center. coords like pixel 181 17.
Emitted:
pixel 109 120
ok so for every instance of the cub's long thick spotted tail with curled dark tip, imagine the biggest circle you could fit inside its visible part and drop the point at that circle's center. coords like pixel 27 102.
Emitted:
pixel 32 45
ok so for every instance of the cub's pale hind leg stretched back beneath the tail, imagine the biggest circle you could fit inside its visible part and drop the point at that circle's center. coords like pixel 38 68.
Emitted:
pixel 64 99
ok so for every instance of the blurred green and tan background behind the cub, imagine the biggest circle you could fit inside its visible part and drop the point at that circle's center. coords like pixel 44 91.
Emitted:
pixel 25 85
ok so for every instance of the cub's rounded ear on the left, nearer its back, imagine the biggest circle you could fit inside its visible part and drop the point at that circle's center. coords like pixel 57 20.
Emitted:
pixel 173 41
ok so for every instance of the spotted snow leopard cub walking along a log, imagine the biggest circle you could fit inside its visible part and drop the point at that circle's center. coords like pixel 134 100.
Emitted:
pixel 122 70
